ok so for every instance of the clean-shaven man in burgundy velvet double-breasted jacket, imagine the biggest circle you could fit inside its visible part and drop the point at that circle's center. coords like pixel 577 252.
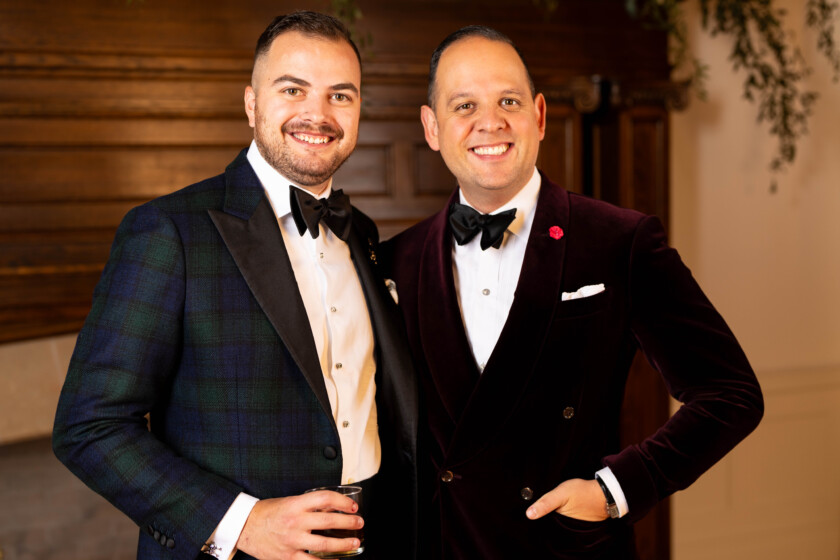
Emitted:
pixel 524 305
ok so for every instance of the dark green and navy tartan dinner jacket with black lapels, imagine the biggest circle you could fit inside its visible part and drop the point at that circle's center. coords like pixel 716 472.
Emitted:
pixel 197 323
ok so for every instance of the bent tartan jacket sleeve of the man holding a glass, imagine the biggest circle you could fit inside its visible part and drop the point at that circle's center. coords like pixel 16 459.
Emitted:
pixel 123 366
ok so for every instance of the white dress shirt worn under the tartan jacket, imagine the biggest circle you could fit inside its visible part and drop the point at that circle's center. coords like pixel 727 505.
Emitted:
pixel 340 323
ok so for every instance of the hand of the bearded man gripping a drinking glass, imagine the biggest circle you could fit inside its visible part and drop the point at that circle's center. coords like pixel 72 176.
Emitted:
pixel 281 528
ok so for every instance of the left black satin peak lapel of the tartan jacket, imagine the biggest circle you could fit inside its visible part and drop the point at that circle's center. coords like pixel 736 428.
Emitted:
pixel 259 251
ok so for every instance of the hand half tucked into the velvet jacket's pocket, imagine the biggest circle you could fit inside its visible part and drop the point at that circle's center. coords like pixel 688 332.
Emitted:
pixel 575 498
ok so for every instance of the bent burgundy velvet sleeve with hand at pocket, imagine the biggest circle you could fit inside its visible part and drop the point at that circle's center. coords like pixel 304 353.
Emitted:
pixel 687 341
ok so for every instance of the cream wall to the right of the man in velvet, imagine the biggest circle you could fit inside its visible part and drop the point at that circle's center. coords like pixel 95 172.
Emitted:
pixel 771 264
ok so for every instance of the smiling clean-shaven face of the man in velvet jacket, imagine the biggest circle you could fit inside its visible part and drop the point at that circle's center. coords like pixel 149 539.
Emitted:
pixel 486 124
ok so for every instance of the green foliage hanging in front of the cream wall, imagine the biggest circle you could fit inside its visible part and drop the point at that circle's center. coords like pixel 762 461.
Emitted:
pixel 774 68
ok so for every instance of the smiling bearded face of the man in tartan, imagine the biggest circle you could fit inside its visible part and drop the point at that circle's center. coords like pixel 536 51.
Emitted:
pixel 304 104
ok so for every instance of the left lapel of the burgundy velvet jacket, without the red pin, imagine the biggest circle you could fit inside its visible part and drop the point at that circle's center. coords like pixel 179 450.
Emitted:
pixel 442 333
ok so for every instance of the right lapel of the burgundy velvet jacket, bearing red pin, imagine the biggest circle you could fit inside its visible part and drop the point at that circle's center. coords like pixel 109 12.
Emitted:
pixel 516 353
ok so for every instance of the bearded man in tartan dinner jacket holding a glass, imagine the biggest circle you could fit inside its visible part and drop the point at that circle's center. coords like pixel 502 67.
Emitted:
pixel 244 317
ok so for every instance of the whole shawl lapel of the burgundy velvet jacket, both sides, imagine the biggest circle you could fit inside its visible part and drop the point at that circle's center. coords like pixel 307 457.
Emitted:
pixel 475 406
